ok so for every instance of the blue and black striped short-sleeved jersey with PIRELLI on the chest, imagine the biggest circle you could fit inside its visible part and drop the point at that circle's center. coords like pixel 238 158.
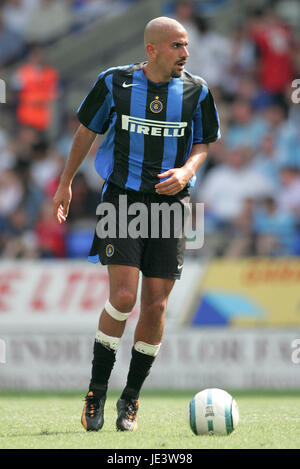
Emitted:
pixel 151 126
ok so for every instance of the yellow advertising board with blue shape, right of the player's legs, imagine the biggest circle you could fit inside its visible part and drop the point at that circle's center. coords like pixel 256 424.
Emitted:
pixel 249 292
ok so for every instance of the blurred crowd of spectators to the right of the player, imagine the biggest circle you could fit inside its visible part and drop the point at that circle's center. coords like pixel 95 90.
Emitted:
pixel 250 184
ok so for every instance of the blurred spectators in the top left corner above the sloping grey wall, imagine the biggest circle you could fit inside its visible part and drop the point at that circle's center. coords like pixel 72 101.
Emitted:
pixel 23 22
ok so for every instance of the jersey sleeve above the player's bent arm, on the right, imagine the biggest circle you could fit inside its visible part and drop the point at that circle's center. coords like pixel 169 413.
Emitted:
pixel 206 119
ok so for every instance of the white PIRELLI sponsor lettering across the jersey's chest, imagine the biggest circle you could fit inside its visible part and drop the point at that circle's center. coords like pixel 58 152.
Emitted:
pixel 154 128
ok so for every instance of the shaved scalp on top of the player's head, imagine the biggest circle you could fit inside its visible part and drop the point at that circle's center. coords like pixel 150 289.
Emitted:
pixel 158 29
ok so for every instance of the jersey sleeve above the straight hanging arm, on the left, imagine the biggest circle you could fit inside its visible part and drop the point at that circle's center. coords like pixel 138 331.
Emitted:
pixel 95 110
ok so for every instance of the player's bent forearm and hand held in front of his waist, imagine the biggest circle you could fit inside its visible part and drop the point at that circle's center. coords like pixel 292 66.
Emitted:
pixel 177 178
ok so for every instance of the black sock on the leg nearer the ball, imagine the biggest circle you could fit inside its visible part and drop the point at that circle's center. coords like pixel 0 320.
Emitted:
pixel 138 371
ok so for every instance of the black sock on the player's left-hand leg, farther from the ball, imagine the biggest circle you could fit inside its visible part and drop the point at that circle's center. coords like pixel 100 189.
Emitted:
pixel 102 365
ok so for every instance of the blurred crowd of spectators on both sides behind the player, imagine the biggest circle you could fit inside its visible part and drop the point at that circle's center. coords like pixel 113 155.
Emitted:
pixel 250 183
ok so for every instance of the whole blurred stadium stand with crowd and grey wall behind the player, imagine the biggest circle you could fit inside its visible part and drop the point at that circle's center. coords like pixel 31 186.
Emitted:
pixel 258 157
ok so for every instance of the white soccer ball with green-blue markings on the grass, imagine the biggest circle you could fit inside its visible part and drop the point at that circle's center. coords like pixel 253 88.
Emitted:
pixel 213 411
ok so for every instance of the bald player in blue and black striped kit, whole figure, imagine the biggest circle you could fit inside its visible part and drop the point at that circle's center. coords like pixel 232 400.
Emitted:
pixel 159 121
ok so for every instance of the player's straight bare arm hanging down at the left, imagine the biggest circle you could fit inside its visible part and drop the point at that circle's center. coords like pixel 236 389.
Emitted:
pixel 81 145
